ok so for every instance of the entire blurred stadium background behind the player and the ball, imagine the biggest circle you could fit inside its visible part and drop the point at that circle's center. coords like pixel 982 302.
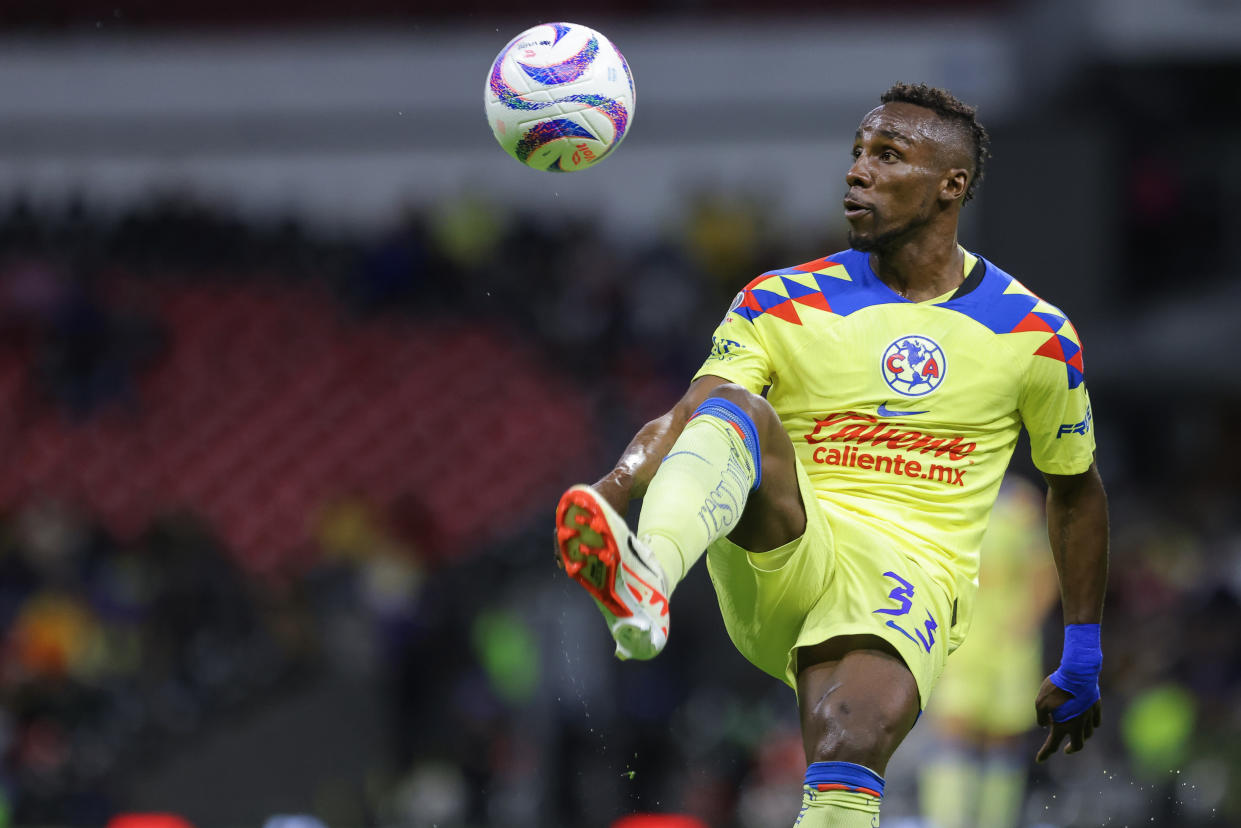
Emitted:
pixel 295 363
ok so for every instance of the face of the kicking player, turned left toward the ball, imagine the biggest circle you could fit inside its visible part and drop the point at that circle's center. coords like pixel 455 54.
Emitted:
pixel 897 176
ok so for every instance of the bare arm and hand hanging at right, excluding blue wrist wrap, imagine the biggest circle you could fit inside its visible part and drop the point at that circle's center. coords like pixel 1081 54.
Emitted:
pixel 1079 533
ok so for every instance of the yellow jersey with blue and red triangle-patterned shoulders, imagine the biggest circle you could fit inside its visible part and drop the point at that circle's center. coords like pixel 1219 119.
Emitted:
pixel 905 414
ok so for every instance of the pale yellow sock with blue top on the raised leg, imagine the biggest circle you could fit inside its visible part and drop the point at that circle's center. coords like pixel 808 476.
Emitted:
pixel 701 490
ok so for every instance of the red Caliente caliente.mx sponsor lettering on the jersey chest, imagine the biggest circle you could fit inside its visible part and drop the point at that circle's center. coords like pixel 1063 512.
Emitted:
pixel 842 439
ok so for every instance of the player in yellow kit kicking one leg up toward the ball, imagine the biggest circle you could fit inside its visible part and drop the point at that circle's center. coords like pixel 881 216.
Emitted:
pixel 837 457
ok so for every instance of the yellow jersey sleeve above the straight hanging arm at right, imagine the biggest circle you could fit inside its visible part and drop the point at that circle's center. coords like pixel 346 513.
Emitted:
pixel 1055 409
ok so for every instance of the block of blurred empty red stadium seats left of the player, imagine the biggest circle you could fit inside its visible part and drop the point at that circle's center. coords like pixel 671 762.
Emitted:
pixel 267 407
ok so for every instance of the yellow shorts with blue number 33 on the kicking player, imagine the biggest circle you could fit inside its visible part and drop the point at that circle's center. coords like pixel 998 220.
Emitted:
pixel 838 579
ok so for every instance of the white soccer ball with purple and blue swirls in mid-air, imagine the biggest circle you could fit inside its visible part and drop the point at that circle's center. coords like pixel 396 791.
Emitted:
pixel 560 97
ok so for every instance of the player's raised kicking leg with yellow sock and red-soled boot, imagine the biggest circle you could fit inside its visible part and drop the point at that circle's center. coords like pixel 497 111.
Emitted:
pixel 729 471
